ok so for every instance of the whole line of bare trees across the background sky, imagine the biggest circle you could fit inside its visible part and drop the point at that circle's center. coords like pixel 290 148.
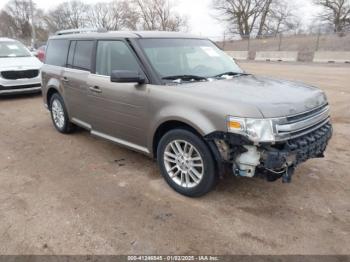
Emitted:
pixel 246 18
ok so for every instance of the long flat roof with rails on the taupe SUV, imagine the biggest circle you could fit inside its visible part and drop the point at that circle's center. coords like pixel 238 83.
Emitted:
pixel 126 34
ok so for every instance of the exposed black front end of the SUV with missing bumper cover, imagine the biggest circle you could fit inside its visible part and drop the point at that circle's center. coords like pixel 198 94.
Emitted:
pixel 267 160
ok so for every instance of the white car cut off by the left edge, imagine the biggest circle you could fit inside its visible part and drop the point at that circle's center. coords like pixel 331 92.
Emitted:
pixel 19 69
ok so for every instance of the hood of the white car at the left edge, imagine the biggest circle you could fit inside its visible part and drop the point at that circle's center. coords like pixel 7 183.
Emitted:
pixel 19 63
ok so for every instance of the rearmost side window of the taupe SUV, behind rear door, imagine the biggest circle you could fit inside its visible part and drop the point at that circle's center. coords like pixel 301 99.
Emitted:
pixel 57 52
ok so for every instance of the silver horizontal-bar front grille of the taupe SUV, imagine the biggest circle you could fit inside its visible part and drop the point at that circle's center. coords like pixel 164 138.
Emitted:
pixel 295 126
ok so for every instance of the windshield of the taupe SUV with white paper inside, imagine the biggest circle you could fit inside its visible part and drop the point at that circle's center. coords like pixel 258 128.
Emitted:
pixel 194 57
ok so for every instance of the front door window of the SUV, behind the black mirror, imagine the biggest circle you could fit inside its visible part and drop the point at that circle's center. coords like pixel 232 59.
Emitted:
pixel 114 55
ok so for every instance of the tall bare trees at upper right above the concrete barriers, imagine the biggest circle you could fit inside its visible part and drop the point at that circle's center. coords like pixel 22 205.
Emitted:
pixel 258 18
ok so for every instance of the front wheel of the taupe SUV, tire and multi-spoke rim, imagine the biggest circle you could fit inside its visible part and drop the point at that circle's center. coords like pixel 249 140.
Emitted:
pixel 192 175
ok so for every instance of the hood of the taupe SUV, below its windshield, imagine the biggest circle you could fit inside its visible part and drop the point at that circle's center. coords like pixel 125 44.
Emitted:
pixel 272 97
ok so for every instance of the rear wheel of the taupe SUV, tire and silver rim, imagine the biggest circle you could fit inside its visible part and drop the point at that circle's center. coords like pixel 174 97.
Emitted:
pixel 59 115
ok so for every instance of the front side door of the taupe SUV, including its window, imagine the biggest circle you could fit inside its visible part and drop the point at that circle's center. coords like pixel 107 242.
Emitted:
pixel 117 111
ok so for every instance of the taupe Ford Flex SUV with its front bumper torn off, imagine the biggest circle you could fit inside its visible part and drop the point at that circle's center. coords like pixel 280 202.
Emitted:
pixel 181 100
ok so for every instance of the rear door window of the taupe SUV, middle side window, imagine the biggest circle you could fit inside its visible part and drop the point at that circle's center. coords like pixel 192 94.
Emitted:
pixel 83 54
